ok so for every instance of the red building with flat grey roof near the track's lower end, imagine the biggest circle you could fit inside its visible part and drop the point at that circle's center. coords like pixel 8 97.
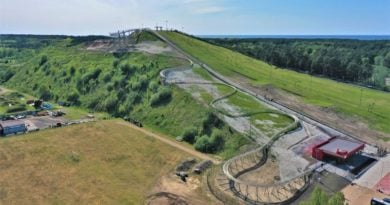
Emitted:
pixel 336 147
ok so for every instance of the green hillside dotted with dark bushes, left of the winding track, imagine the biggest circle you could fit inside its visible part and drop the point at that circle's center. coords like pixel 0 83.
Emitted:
pixel 126 84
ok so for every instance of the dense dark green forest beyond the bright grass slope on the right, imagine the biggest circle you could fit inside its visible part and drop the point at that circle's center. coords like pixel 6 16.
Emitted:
pixel 361 62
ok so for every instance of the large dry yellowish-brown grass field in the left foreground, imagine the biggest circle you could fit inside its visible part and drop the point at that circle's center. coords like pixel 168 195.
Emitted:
pixel 94 163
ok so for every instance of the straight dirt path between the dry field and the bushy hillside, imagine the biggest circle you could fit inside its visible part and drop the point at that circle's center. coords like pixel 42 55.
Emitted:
pixel 172 143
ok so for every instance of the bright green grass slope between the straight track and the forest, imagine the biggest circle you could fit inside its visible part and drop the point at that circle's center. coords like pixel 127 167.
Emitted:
pixel 373 108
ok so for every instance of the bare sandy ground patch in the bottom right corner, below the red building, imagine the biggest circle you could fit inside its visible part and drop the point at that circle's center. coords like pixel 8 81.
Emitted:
pixel 357 195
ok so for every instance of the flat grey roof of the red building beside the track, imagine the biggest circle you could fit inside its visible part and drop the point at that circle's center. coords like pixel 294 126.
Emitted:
pixel 341 148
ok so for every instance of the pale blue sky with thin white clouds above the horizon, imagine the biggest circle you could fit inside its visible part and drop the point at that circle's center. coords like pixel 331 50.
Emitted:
pixel 81 17
